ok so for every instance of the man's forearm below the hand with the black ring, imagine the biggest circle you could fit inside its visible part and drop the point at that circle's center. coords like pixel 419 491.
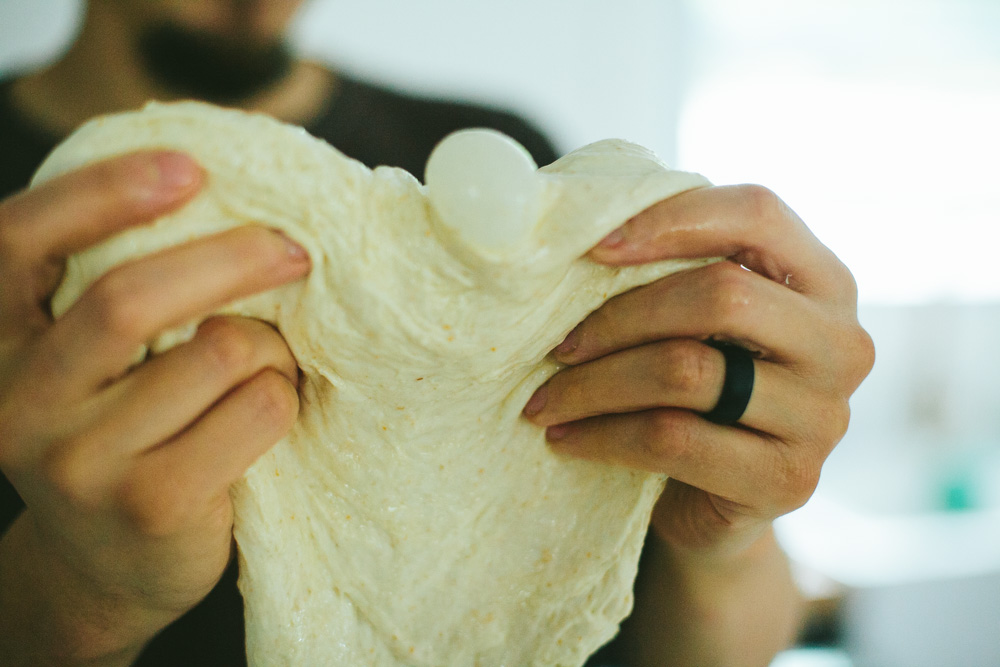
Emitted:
pixel 726 614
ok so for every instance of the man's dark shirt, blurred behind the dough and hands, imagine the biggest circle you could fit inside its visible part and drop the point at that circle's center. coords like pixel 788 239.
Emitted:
pixel 373 124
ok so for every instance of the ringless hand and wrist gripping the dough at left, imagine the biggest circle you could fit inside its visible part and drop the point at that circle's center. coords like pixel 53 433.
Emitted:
pixel 125 471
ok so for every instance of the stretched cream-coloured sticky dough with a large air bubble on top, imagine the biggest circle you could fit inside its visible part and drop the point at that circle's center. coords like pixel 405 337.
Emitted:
pixel 412 516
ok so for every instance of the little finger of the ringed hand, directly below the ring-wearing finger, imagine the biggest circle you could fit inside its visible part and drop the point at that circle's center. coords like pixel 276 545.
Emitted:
pixel 737 465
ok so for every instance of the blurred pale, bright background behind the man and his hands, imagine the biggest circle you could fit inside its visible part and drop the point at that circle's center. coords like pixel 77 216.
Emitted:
pixel 878 121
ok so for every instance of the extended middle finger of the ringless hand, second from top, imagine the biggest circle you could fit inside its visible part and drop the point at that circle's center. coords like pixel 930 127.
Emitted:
pixel 96 339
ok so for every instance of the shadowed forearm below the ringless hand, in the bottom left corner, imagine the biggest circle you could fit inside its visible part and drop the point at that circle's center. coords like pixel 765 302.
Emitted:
pixel 48 618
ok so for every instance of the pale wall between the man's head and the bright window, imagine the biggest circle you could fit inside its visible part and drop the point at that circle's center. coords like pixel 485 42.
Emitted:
pixel 586 69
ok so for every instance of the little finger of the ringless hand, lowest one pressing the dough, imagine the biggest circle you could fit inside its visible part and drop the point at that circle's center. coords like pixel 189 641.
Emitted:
pixel 171 484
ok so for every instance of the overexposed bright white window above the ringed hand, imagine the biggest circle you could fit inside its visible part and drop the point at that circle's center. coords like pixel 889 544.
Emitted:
pixel 877 121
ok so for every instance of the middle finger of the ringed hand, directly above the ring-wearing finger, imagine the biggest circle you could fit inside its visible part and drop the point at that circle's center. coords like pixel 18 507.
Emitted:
pixel 721 301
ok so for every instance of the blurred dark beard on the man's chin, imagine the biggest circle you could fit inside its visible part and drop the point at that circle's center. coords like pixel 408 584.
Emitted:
pixel 222 70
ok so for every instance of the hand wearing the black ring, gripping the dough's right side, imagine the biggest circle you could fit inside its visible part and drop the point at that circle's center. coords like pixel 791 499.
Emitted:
pixel 639 375
